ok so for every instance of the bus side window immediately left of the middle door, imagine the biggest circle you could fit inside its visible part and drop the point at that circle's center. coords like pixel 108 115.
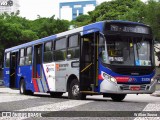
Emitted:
pixel 28 60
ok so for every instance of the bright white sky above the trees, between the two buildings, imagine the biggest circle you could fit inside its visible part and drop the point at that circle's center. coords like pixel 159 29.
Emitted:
pixel 30 9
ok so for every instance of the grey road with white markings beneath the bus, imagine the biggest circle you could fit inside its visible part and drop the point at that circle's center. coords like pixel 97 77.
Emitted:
pixel 94 107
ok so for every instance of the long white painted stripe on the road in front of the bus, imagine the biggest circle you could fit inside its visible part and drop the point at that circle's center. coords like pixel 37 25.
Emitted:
pixel 57 106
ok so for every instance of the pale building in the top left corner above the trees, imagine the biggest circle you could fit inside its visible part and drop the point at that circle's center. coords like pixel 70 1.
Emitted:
pixel 9 6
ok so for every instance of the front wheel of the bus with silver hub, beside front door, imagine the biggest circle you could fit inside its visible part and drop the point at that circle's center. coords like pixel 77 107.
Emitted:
pixel 74 92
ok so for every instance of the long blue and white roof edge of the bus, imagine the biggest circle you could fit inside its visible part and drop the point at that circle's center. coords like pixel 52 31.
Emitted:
pixel 85 29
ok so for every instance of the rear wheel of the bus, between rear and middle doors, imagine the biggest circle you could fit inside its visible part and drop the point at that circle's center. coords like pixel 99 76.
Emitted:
pixel 23 88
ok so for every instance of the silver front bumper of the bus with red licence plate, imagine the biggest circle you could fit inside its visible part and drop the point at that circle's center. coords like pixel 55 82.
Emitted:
pixel 113 88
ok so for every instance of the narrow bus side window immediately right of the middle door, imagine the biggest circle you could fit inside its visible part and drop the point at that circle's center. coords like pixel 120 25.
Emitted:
pixel 48 54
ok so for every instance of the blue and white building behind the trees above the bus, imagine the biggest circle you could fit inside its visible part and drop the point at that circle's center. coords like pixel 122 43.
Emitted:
pixel 75 8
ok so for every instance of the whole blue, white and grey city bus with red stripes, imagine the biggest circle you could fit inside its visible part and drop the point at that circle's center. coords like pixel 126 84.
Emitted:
pixel 111 58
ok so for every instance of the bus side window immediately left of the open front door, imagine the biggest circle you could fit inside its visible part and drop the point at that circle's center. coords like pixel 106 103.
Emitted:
pixel 73 47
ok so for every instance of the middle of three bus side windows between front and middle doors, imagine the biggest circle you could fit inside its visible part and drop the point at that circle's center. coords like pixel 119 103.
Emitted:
pixel 60 49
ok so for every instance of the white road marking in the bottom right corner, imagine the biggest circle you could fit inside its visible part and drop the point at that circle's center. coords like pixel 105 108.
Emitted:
pixel 149 108
